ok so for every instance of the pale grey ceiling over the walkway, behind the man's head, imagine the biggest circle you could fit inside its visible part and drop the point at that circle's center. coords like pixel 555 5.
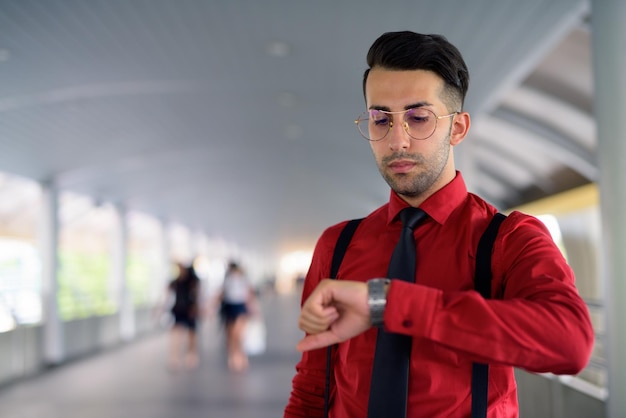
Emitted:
pixel 236 117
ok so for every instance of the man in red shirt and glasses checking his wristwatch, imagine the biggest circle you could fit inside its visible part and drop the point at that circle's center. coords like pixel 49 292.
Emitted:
pixel 414 91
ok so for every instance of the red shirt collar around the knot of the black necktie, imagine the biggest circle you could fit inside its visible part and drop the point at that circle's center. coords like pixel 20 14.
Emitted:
pixel 438 206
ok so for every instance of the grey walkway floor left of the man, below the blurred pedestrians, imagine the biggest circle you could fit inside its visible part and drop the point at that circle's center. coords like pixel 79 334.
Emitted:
pixel 133 380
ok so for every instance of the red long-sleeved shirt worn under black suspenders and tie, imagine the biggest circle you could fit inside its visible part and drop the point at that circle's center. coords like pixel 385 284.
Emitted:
pixel 537 320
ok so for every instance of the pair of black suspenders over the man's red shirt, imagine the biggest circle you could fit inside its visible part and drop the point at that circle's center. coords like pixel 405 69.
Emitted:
pixel 482 283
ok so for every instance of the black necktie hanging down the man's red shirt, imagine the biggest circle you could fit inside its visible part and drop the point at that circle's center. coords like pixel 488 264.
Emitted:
pixel 390 374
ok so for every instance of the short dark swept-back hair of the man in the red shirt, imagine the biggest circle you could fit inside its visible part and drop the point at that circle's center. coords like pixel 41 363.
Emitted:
pixel 414 51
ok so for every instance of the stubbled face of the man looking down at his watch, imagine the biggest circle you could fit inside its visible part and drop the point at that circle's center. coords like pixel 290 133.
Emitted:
pixel 413 168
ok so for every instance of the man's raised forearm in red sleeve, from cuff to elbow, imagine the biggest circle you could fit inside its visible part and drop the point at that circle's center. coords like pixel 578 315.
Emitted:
pixel 550 334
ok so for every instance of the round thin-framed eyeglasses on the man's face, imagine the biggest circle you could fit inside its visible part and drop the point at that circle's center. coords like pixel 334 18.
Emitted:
pixel 418 122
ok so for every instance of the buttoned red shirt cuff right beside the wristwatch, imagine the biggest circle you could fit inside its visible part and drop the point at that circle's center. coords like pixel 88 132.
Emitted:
pixel 411 308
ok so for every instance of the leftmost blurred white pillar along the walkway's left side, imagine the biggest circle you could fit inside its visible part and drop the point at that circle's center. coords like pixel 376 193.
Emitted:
pixel 53 344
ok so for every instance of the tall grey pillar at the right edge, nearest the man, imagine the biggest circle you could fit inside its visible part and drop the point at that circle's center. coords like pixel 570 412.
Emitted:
pixel 609 66
